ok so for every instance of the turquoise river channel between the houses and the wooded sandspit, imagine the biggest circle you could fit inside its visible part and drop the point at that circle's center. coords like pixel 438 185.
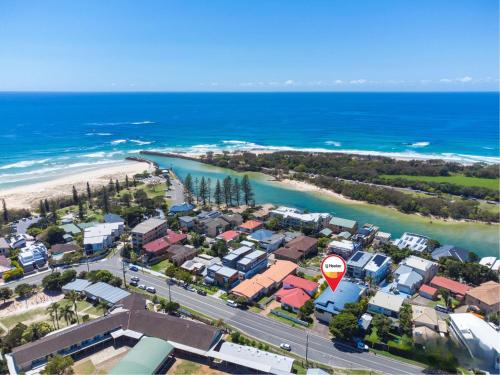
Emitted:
pixel 481 238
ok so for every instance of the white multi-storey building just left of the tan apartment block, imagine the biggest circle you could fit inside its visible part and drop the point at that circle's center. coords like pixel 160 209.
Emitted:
pixel 101 236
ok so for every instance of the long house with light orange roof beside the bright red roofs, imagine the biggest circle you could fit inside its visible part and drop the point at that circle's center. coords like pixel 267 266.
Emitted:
pixel 263 283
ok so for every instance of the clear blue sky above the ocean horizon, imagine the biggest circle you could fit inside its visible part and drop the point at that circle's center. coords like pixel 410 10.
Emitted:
pixel 249 45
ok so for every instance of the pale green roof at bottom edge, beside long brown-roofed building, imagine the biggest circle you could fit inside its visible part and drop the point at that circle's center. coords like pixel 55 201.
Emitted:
pixel 146 357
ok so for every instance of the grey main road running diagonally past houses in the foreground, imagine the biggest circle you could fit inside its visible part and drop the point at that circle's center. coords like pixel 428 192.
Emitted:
pixel 320 349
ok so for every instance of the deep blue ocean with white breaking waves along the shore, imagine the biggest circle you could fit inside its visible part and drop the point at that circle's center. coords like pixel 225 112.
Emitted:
pixel 43 135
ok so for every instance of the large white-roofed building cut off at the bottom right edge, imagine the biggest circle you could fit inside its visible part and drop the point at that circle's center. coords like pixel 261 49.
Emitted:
pixel 481 339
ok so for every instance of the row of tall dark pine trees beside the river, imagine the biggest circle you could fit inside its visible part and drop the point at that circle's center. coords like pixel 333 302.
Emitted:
pixel 230 192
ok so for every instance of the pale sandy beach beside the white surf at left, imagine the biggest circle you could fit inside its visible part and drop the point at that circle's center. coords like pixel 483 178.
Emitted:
pixel 28 196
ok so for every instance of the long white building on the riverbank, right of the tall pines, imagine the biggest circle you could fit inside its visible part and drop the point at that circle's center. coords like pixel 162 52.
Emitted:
pixel 295 218
